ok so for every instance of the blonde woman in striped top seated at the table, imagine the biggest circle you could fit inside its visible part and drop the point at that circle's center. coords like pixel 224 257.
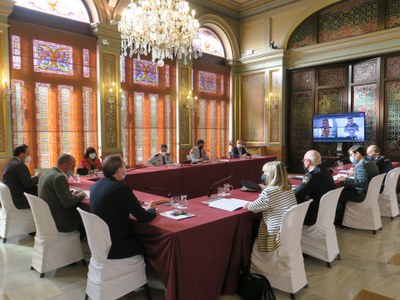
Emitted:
pixel 273 202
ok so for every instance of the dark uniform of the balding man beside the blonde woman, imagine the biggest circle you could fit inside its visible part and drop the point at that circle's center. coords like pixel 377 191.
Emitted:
pixel 315 184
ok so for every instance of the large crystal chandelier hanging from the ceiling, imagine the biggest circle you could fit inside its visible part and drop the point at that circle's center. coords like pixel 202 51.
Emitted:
pixel 164 28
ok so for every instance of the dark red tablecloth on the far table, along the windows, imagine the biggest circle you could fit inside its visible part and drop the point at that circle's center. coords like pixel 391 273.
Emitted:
pixel 195 180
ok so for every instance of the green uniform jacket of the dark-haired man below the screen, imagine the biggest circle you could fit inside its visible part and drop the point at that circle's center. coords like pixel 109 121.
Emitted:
pixel 364 171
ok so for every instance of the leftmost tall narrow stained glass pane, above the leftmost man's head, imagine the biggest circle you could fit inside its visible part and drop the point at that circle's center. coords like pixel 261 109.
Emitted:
pixel 18 106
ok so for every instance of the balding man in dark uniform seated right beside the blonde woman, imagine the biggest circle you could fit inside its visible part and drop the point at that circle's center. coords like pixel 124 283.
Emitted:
pixel 316 182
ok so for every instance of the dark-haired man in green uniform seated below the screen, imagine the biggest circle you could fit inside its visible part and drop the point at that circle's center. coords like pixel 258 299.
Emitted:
pixel 355 189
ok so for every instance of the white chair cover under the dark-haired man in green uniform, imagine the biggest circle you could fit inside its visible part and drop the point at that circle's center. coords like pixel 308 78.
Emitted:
pixel 366 214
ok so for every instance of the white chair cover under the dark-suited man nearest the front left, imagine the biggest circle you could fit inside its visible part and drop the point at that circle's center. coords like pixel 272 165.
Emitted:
pixel 109 278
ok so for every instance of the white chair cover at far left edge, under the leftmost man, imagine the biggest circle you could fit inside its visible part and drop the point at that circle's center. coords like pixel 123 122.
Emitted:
pixel 13 221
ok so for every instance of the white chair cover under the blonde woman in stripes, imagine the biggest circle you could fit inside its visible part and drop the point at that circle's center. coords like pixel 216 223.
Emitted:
pixel 284 267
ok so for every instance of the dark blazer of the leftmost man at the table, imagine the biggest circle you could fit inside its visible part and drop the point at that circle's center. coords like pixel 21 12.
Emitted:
pixel 18 179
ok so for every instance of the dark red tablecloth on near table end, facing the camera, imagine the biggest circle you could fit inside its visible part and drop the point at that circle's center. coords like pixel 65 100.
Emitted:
pixel 199 257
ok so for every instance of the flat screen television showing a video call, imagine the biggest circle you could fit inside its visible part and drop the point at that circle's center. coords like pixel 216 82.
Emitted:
pixel 343 127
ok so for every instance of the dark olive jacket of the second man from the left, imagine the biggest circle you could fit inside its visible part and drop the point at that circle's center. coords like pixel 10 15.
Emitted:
pixel 54 189
